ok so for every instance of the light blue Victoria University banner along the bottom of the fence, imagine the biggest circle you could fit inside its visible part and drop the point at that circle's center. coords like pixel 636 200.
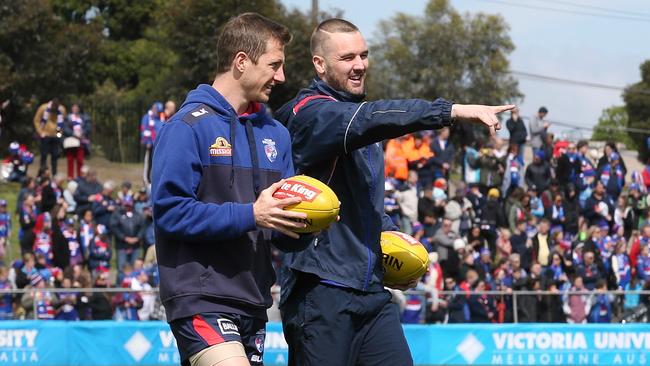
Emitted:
pixel 54 343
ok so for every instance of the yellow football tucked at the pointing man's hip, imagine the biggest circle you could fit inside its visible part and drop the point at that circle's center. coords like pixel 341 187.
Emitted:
pixel 404 258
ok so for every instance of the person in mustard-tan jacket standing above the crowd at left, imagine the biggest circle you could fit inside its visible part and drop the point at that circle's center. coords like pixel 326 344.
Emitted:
pixel 48 122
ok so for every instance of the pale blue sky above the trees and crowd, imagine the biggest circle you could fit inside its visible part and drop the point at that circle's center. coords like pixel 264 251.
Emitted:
pixel 562 44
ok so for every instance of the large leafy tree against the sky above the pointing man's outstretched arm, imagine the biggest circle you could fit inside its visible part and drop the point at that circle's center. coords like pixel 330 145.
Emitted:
pixel 443 54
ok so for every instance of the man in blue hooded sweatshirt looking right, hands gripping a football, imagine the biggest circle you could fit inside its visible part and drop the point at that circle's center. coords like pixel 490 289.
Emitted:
pixel 216 165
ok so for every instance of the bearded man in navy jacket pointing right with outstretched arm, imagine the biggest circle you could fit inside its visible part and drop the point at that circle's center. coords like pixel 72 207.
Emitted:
pixel 333 297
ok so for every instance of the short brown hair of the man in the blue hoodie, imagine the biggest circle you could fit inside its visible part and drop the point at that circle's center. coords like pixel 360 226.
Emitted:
pixel 248 33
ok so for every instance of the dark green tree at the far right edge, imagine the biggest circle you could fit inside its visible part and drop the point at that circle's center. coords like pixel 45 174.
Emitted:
pixel 637 105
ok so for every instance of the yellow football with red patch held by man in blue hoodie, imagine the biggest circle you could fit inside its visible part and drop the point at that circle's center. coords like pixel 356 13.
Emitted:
pixel 319 202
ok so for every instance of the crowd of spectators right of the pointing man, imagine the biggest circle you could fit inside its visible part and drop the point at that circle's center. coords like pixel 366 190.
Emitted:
pixel 572 219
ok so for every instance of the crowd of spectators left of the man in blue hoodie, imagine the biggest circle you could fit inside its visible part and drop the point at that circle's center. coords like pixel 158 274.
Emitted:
pixel 74 229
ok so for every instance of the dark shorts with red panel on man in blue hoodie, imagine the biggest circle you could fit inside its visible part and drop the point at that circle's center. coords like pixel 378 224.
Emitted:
pixel 201 331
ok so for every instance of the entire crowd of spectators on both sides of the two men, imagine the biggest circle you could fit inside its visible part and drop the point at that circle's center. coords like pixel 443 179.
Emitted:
pixel 569 221
